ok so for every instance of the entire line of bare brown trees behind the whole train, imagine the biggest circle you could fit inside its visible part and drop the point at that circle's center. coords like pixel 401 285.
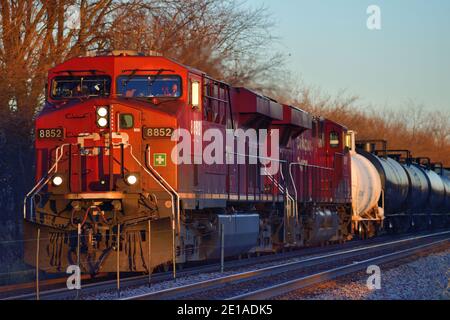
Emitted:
pixel 224 38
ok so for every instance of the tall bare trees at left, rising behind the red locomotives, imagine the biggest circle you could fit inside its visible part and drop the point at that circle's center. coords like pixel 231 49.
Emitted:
pixel 224 38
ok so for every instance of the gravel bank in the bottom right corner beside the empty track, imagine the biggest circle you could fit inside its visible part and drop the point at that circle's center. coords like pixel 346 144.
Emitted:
pixel 427 278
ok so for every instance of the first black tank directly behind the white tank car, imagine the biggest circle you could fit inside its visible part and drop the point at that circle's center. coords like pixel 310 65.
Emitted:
pixel 394 182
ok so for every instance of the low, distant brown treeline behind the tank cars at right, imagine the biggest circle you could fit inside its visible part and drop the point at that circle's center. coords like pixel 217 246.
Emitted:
pixel 423 131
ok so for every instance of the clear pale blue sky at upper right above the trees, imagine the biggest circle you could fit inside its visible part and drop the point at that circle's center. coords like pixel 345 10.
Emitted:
pixel 331 48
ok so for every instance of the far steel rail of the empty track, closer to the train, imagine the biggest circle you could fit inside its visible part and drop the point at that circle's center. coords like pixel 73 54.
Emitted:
pixel 191 289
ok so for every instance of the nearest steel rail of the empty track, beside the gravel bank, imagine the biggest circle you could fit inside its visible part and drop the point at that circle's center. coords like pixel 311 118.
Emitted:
pixel 304 282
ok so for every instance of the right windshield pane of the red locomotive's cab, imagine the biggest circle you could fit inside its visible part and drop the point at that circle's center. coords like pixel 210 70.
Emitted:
pixel 149 86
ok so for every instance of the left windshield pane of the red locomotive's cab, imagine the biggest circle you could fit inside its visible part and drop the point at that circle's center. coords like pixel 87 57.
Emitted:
pixel 80 86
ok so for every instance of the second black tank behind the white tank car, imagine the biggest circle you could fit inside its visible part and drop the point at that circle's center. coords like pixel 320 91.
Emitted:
pixel 419 189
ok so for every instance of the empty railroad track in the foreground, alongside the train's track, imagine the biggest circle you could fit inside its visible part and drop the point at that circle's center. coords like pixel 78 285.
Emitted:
pixel 269 282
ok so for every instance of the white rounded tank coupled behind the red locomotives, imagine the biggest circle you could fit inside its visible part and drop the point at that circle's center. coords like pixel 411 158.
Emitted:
pixel 366 185
